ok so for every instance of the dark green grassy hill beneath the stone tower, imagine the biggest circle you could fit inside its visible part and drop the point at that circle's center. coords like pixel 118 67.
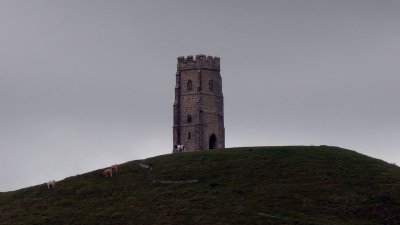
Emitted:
pixel 254 185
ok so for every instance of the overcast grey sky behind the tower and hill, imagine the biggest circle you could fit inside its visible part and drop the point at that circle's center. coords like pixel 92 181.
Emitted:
pixel 85 84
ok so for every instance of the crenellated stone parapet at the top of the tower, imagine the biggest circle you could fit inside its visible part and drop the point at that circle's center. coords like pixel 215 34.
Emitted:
pixel 200 62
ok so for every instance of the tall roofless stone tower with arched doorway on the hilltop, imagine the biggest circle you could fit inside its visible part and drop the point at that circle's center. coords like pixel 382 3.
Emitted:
pixel 199 104
